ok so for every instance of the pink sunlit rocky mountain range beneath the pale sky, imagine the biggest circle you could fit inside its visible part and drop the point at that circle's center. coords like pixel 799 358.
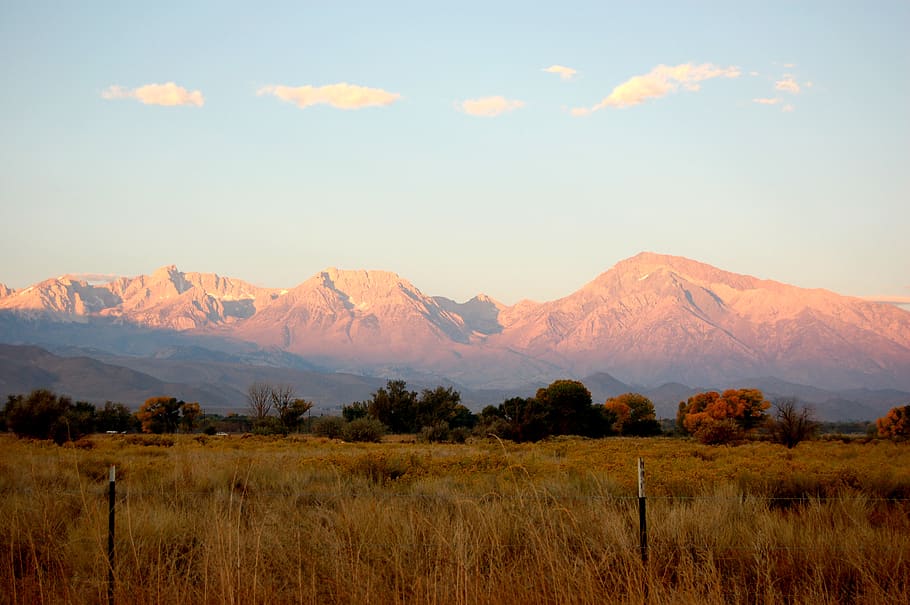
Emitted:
pixel 649 320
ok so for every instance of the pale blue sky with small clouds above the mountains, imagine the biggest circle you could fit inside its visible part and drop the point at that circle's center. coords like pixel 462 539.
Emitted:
pixel 511 148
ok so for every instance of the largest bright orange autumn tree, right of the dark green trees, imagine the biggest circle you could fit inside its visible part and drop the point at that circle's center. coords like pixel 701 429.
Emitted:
pixel 714 417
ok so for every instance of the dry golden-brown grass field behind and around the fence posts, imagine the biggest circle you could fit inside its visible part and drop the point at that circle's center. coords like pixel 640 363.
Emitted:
pixel 301 520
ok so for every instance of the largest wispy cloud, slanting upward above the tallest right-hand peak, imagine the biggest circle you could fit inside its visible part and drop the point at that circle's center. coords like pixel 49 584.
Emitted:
pixel 660 82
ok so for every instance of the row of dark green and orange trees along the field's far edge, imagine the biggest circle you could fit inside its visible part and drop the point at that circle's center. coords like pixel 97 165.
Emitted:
pixel 565 407
